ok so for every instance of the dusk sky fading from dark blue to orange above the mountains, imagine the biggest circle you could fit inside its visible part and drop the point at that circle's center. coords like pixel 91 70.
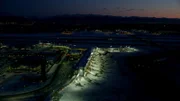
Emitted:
pixel 41 8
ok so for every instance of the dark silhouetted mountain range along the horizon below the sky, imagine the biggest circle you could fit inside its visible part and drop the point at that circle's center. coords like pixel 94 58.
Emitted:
pixel 91 19
